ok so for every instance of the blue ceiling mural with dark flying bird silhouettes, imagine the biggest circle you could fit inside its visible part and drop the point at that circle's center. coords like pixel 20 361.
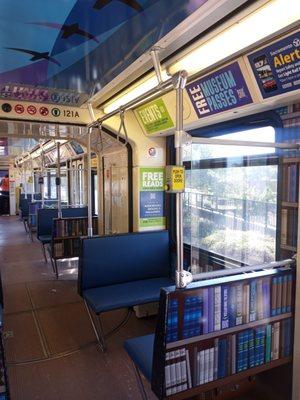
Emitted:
pixel 81 45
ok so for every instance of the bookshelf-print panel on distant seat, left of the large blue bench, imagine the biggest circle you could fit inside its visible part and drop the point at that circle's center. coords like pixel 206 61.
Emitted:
pixel 66 236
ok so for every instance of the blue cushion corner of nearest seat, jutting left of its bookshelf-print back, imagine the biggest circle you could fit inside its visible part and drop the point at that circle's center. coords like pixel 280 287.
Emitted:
pixel 140 350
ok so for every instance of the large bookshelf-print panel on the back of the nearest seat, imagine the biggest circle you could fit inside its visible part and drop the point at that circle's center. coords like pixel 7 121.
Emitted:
pixel 220 333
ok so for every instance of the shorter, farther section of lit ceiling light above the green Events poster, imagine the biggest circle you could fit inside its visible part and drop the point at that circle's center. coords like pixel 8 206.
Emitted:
pixel 133 93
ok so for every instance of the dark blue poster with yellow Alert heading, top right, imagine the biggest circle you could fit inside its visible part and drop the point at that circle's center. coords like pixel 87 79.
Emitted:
pixel 277 67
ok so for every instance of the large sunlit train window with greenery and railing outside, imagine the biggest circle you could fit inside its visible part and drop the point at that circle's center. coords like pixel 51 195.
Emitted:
pixel 230 203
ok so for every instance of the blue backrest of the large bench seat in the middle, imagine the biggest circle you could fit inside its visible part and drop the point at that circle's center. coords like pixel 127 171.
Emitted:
pixel 110 260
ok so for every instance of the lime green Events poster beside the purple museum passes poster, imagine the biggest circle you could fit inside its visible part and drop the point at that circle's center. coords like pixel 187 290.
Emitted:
pixel 154 116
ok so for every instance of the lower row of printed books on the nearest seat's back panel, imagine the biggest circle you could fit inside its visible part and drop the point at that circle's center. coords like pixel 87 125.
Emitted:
pixel 227 356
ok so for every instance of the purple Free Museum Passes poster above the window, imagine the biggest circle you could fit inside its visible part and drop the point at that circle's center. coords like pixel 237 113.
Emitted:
pixel 220 91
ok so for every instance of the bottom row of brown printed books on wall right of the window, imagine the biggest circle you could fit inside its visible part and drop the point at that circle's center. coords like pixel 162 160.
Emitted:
pixel 289 227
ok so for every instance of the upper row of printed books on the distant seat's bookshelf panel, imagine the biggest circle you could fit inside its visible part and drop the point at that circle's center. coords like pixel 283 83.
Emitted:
pixel 73 227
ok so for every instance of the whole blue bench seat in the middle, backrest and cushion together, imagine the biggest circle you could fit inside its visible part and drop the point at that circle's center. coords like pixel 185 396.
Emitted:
pixel 122 271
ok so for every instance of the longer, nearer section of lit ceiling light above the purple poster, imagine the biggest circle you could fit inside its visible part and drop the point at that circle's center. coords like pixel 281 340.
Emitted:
pixel 270 18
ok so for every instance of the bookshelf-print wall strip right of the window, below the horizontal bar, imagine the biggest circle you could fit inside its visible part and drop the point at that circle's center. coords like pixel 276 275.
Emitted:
pixel 289 206
